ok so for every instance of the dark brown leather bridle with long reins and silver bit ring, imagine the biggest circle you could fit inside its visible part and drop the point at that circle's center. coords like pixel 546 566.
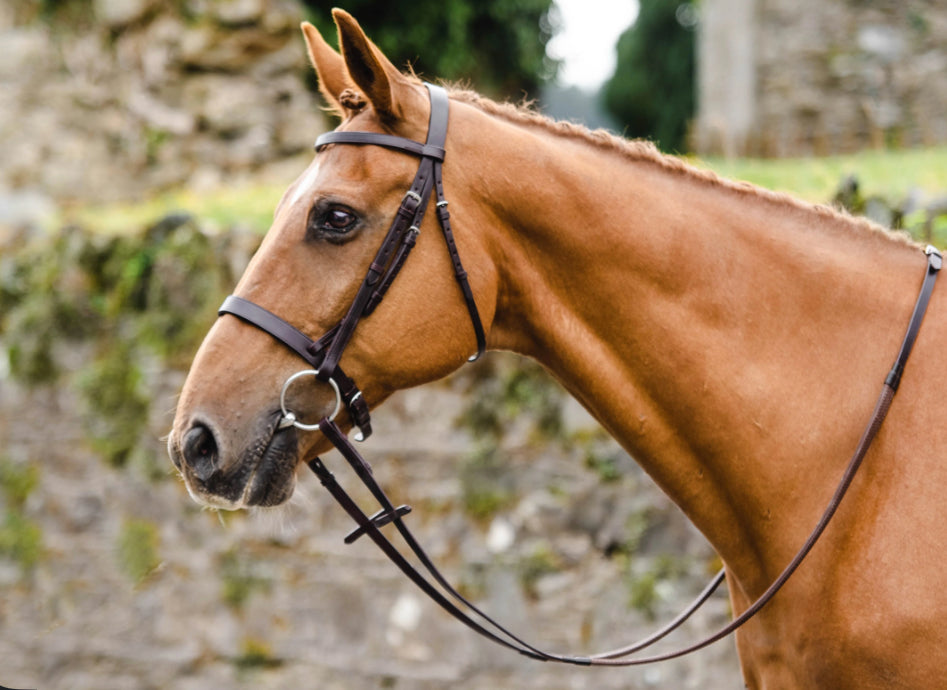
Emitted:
pixel 324 354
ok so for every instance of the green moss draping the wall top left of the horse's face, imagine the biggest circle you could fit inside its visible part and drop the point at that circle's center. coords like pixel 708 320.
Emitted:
pixel 95 312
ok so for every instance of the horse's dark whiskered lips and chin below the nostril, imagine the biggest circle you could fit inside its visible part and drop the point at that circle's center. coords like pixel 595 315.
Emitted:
pixel 264 476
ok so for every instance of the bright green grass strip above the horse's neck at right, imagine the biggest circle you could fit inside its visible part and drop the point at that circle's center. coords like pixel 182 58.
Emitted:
pixel 886 173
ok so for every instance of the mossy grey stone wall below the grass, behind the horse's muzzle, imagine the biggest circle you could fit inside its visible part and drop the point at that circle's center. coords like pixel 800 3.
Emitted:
pixel 112 578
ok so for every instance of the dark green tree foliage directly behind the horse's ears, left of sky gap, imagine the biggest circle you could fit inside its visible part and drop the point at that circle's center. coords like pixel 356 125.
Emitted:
pixel 497 46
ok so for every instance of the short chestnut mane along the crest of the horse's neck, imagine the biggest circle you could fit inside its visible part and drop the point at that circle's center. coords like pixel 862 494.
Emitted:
pixel 644 151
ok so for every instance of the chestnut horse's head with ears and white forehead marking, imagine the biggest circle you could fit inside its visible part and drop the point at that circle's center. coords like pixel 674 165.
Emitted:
pixel 228 440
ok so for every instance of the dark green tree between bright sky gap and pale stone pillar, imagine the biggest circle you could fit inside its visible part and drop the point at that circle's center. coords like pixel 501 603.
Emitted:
pixel 652 91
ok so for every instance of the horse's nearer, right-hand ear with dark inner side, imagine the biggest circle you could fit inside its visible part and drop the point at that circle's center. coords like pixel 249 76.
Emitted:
pixel 367 66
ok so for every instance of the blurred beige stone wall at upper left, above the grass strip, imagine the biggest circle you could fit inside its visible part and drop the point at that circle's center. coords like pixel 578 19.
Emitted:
pixel 134 96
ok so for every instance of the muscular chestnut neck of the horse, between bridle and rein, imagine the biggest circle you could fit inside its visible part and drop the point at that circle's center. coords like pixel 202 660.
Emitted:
pixel 731 340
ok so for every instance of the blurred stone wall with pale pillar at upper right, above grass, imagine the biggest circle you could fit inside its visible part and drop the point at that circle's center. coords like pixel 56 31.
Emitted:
pixel 821 76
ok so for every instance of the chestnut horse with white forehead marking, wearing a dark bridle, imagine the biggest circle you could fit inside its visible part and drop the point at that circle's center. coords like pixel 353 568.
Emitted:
pixel 732 339
